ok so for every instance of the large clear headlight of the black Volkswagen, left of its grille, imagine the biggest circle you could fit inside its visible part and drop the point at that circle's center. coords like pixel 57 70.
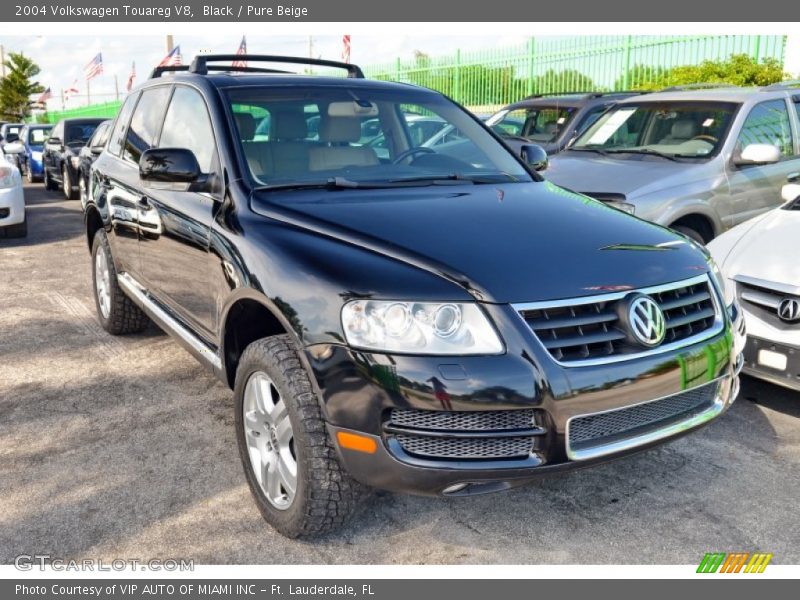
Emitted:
pixel 419 328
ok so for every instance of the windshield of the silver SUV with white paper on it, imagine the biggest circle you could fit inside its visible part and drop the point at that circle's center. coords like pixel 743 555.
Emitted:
pixel 673 129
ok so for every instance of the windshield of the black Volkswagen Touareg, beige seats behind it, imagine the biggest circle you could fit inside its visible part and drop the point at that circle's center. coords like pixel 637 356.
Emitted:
pixel 292 136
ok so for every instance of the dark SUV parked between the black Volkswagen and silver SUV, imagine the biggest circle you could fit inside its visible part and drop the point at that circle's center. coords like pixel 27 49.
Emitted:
pixel 552 120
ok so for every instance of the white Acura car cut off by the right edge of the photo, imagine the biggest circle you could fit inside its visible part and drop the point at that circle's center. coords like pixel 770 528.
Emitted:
pixel 761 258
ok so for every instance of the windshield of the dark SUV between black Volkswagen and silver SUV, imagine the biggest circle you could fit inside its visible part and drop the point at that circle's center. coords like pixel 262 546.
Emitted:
pixel 542 124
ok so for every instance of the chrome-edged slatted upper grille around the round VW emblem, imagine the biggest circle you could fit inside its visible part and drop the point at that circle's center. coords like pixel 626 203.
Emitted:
pixel 592 330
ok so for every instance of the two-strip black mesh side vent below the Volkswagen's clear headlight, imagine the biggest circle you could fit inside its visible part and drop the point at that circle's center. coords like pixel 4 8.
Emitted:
pixel 464 436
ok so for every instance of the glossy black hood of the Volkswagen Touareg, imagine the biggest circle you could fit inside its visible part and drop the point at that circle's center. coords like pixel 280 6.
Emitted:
pixel 503 243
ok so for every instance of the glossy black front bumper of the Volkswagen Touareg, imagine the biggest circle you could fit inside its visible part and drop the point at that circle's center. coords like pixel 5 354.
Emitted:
pixel 361 391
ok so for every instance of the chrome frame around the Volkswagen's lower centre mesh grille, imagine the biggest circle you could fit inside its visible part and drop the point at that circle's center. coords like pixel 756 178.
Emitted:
pixel 704 412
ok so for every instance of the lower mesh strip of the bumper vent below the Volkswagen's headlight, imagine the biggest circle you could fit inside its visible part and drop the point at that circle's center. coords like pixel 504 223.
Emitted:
pixel 466 448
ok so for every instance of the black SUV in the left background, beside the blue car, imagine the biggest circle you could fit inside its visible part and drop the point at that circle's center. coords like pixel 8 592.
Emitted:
pixel 61 154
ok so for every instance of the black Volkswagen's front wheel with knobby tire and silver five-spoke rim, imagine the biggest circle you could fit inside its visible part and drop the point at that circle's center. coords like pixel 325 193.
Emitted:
pixel 325 495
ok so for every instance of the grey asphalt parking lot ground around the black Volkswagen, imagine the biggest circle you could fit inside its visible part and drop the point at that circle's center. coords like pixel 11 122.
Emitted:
pixel 124 448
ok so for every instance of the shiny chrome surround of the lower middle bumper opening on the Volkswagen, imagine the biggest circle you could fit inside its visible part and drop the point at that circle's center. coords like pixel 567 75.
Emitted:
pixel 717 407
